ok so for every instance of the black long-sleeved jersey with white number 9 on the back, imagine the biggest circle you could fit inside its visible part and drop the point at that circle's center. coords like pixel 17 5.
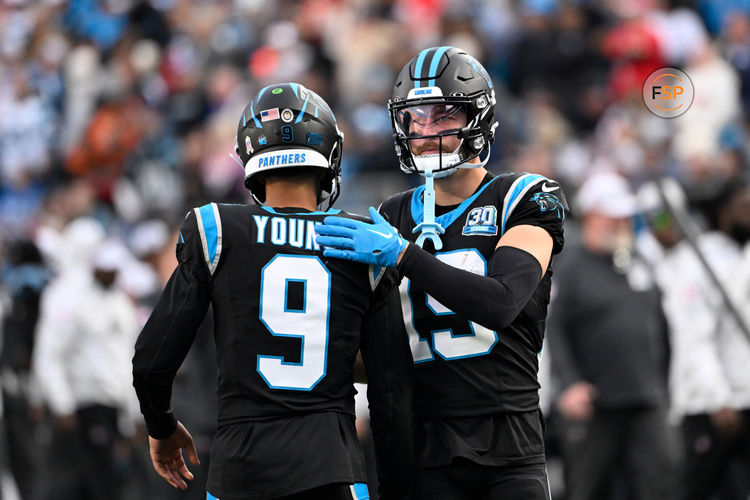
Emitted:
pixel 287 325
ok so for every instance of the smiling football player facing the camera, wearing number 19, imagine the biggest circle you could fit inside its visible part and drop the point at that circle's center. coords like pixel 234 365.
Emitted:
pixel 475 310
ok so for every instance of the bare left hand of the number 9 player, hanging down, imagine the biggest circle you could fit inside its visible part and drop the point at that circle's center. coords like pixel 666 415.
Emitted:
pixel 166 456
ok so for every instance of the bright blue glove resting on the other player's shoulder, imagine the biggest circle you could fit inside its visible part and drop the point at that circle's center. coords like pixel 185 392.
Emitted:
pixel 378 244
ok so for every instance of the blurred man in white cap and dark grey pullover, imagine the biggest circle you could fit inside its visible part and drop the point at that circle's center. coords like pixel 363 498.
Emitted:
pixel 608 345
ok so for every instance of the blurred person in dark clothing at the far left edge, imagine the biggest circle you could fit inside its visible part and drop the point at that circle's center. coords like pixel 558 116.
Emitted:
pixel 24 276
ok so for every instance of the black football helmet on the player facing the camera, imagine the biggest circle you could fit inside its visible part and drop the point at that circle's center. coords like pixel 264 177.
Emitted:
pixel 442 83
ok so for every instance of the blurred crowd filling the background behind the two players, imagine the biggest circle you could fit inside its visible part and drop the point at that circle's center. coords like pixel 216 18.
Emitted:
pixel 118 116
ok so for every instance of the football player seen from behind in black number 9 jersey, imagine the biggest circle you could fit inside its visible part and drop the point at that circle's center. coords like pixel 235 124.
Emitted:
pixel 288 325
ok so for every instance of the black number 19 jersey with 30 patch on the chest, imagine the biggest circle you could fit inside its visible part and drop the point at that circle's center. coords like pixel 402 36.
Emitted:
pixel 463 369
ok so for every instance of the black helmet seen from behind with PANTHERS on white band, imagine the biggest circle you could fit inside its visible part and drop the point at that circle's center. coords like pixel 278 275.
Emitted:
pixel 289 126
